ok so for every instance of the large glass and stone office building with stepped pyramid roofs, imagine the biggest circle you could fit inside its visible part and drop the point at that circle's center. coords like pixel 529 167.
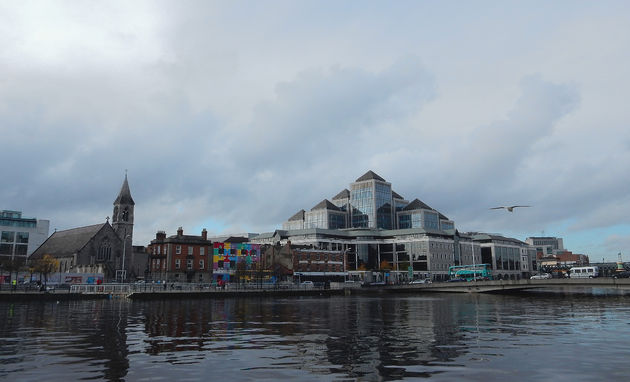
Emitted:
pixel 381 235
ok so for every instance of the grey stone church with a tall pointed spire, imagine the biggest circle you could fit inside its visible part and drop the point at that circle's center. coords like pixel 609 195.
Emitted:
pixel 100 248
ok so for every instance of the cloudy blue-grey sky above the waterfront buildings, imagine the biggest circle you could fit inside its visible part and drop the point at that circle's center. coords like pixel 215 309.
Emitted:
pixel 234 115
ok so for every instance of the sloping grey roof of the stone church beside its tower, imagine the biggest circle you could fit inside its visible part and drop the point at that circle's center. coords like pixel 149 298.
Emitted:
pixel 68 242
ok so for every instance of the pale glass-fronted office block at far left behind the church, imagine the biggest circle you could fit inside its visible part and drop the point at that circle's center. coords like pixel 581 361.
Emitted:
pixel 20 236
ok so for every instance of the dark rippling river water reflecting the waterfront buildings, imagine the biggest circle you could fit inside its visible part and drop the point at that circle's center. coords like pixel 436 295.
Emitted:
pixel 442 337
